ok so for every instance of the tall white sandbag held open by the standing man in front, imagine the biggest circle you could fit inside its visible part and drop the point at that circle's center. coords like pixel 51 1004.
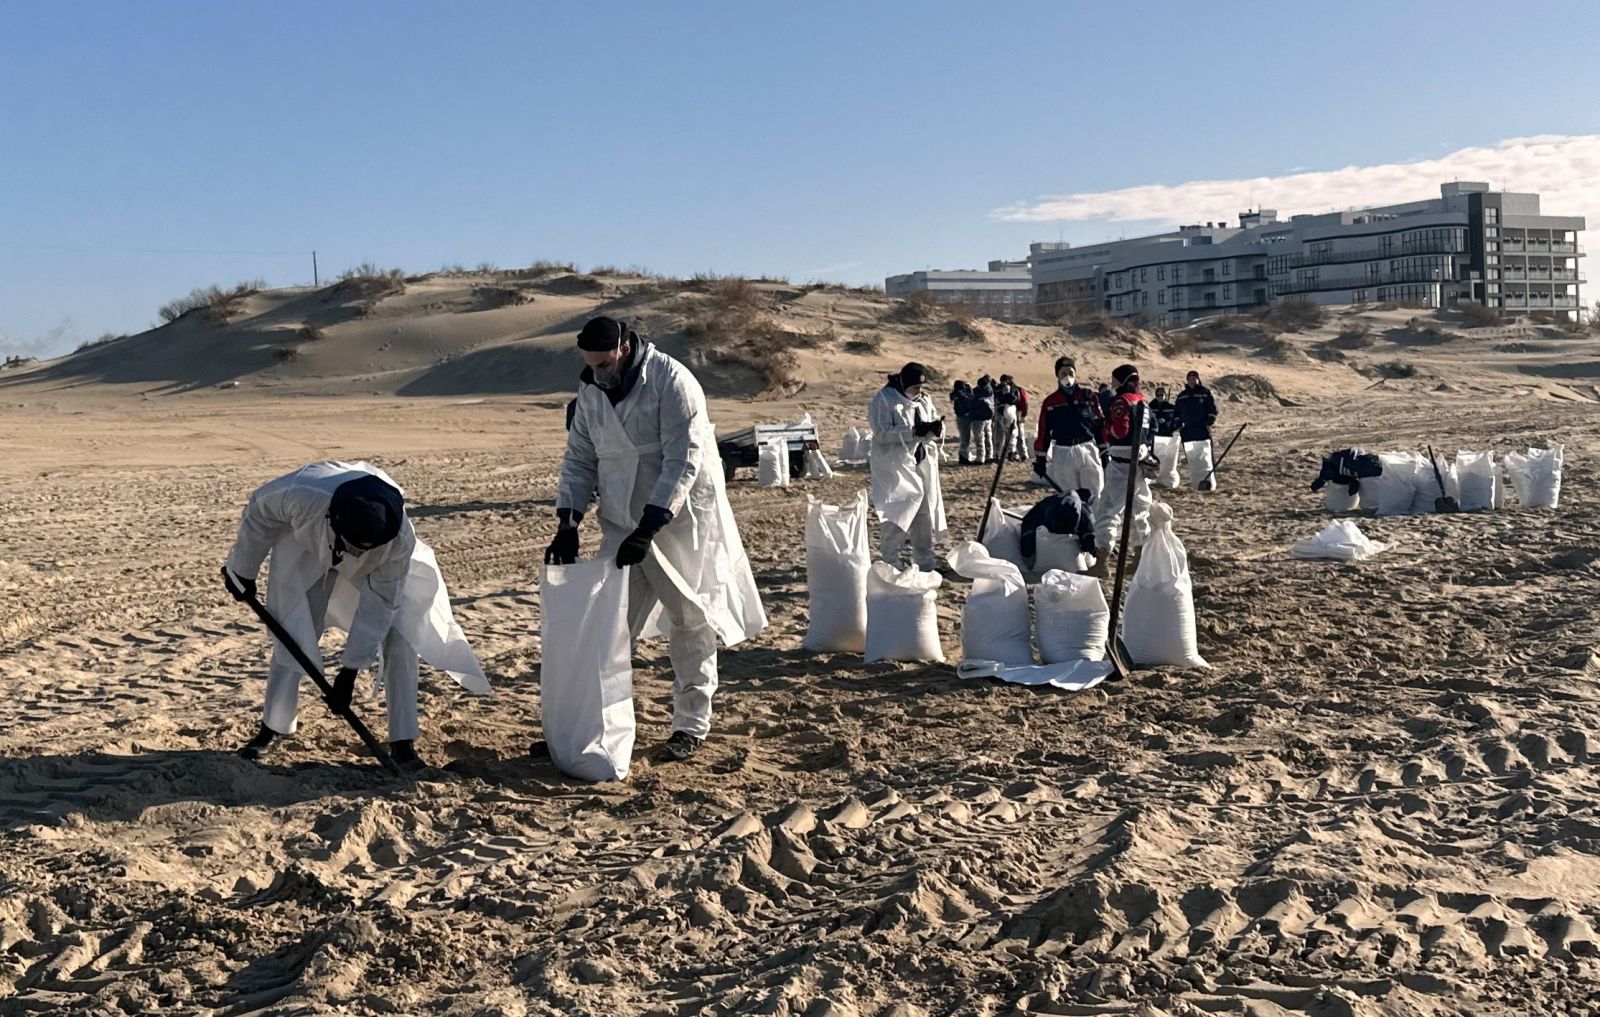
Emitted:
pixel 586 674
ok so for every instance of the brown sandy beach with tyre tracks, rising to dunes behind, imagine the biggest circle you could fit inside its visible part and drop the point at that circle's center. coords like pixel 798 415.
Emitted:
pixel 1380 802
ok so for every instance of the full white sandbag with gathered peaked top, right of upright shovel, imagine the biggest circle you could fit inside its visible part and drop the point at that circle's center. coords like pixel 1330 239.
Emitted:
pixel 1159 620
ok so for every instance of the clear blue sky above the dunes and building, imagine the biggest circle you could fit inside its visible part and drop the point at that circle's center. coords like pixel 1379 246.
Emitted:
pixel 153 148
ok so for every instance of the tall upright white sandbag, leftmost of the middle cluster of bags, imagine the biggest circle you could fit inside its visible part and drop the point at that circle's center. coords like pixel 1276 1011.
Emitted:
pixel 836 564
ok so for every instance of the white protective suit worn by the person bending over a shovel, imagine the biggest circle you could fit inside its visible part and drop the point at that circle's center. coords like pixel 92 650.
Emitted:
pixel 391 600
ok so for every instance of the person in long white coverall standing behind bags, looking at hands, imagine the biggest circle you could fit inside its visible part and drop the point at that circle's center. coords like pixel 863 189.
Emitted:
pixel 906 492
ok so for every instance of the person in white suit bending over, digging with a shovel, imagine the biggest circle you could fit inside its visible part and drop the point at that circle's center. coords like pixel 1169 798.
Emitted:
pixel 345 556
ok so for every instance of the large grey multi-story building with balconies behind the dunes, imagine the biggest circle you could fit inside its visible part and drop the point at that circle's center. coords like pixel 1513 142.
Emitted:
pixel 1471 244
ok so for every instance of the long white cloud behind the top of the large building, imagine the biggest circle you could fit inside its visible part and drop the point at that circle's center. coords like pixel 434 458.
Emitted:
pixel 1564 169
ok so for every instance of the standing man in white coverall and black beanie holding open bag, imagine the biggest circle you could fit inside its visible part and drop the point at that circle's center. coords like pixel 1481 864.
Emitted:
pixel 644 445
